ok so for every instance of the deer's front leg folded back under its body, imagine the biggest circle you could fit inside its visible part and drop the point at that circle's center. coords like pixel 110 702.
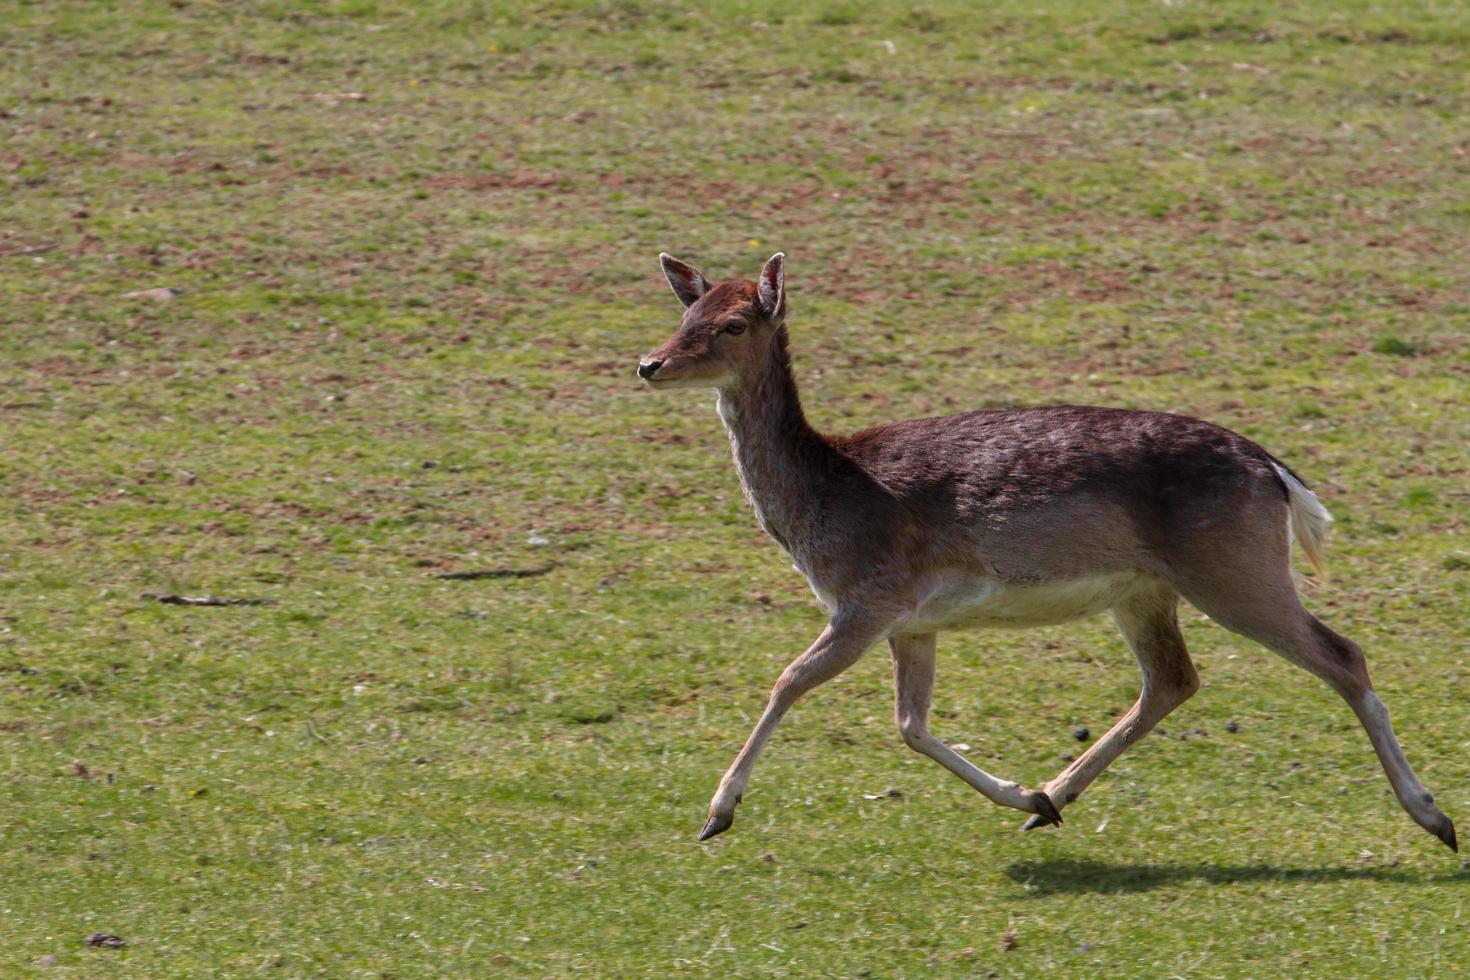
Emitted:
pixel 914 685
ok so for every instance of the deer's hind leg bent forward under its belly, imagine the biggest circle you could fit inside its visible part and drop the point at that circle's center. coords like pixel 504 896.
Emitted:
pixel 1150 625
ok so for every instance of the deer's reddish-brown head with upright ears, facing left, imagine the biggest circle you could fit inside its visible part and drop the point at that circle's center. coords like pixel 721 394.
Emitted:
pixel 728 330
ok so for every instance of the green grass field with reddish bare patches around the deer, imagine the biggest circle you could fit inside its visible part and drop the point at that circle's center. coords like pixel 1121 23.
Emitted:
pixel 415 249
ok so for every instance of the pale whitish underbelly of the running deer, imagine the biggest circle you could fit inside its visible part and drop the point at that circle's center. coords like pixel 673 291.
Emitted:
pixel 974 602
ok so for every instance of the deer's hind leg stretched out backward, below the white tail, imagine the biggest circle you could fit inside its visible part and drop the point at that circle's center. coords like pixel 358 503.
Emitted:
pixel 1274 616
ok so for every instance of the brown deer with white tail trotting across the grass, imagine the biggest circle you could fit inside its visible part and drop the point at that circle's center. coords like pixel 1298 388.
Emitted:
pixel 1014 518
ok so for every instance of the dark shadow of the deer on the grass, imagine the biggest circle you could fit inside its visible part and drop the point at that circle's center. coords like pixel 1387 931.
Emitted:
pixel 1064 876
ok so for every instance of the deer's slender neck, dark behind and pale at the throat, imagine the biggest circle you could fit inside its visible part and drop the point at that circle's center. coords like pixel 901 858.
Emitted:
pixel 778 455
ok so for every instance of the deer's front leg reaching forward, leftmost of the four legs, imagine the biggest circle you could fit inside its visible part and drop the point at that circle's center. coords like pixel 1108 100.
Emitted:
pixel 840 646
